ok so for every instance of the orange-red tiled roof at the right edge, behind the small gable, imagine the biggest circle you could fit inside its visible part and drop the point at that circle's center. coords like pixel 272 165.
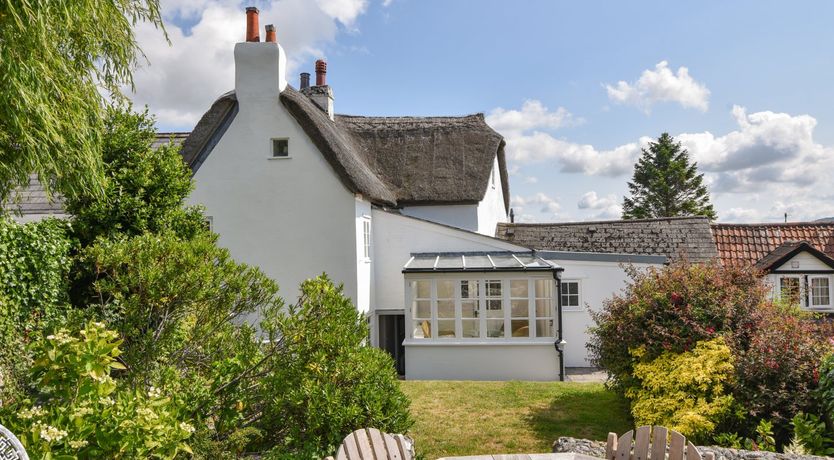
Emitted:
pixel 747 244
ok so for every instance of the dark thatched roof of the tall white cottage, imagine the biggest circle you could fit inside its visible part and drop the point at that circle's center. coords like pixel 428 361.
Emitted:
pixel 394 161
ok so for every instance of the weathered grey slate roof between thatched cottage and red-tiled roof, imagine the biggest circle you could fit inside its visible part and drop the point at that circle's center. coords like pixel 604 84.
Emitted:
pixel 687 237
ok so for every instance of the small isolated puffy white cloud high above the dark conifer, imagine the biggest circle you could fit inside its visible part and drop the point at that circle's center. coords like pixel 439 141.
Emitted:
pixel 661 85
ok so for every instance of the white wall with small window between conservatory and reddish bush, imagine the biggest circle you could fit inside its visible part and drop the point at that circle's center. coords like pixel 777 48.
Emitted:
pixel 599 281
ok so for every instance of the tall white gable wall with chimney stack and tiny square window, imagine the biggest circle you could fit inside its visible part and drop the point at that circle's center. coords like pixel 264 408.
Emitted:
pixel 292 217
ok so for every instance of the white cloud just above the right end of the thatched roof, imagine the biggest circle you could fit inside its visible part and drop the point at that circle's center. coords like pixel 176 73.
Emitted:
pixel 533 115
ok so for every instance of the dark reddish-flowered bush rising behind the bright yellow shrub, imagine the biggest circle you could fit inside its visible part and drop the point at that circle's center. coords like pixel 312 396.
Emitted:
pixel 670 310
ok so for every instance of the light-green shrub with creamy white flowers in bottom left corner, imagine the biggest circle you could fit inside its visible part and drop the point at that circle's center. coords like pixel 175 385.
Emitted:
pixel 77 410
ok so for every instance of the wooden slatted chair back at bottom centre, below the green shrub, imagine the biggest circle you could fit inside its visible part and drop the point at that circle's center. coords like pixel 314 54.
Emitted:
pixel 370 443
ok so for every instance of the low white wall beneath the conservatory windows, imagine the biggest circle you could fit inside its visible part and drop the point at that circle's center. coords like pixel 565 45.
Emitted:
pixel 482 361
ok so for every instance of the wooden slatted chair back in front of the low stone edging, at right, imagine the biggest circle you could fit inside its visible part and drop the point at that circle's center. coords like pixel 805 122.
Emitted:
pixel 679 447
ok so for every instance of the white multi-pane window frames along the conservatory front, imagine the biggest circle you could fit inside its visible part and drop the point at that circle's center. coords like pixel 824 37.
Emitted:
pixel 481 278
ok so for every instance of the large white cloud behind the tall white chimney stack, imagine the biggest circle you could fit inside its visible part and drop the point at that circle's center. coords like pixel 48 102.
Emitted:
pixel 183 79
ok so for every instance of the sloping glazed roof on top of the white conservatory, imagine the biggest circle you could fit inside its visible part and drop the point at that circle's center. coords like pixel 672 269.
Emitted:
pixel 478 262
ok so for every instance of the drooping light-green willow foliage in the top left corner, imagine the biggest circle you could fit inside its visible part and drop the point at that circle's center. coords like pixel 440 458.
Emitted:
pixel 54 59
